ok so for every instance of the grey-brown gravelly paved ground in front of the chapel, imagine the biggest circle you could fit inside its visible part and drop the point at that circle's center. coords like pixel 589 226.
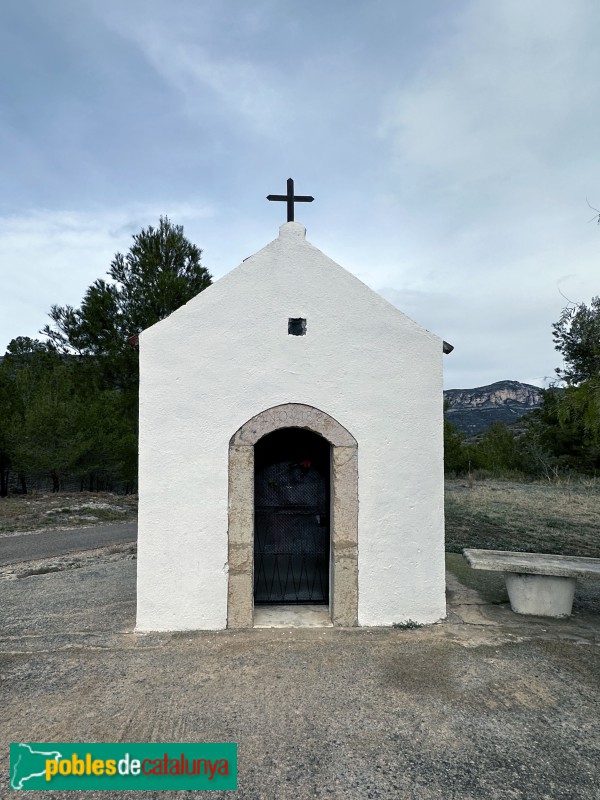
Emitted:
pixel 485 705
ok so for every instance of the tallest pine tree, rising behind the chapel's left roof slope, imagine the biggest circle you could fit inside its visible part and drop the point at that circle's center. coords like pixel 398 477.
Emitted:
pixel 161 271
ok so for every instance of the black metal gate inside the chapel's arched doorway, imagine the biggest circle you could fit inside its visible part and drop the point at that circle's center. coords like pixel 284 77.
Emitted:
pixel 291 518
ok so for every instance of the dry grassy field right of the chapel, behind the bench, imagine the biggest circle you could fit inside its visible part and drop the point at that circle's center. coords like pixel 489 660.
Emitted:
pixel 561 517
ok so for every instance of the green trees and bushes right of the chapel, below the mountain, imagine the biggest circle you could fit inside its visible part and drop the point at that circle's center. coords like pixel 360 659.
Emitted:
pixel 563 436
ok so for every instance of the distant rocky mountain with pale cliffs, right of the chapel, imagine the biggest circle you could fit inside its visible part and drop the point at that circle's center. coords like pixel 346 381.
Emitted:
pixel 474 410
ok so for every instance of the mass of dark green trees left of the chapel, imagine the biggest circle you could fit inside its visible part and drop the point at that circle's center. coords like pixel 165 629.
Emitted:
pixel 70 402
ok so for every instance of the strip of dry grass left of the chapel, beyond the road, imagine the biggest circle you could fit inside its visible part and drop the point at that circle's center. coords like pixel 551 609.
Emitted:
pixel 47 511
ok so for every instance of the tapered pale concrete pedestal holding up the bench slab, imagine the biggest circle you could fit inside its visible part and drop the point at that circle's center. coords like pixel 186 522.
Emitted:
pixel 540 595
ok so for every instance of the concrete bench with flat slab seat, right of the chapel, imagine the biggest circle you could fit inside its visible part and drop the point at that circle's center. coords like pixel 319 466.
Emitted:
pixel 537 583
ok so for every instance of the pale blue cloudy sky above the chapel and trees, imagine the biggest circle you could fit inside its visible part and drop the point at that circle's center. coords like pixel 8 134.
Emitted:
pixel 451 149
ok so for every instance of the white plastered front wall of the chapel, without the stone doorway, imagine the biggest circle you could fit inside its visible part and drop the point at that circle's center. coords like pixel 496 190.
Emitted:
pixel 204 373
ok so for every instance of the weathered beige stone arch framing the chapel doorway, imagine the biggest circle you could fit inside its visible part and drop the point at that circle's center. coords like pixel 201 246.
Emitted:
pixel 344 511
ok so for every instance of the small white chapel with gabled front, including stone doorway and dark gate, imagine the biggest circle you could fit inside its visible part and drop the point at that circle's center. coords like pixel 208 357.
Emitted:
pixel 291 451
